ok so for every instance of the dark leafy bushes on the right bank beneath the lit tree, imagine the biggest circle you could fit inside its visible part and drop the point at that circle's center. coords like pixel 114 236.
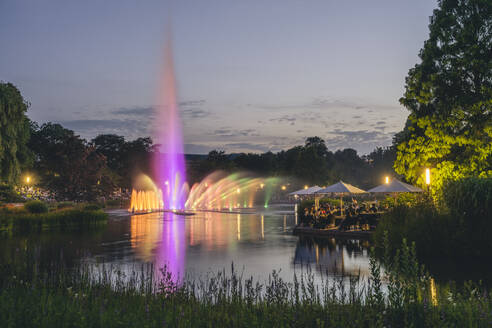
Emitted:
pixel 457 225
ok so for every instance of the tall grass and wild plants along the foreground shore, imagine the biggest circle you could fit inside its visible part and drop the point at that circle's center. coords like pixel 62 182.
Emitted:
pixel 41 295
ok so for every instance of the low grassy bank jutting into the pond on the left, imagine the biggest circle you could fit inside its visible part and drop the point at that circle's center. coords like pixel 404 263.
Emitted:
pixel 63 220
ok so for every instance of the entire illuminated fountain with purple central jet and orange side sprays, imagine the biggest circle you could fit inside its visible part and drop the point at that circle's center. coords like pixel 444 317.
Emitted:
pixel 170 192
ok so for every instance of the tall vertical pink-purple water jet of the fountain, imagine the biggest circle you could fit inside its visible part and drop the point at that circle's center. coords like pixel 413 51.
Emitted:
pixel 169 165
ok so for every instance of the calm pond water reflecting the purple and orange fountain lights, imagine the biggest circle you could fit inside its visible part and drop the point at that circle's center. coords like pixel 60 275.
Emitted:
pixel 256 241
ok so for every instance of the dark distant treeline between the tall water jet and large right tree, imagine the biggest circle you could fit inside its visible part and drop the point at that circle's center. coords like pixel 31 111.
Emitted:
pixel 311 163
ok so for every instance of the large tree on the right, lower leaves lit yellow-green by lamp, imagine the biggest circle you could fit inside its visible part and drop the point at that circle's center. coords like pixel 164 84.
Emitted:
pixel 449 95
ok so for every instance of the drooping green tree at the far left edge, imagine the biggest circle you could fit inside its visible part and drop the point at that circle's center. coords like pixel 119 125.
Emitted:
pixel 14 133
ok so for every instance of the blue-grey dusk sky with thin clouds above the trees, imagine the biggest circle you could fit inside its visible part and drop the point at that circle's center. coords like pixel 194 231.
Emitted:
pixel 252 75
